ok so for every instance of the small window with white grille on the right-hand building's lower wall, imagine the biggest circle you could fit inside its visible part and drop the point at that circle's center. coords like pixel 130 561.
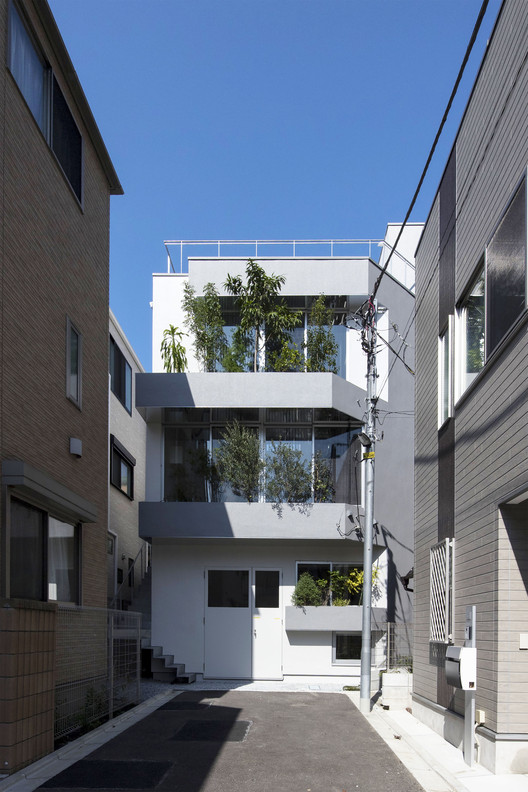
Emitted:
pixel 441 591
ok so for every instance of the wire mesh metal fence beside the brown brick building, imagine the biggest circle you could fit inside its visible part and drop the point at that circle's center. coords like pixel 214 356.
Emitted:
pixel 98 665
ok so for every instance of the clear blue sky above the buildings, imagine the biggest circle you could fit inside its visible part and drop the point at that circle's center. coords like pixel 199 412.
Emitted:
pixel 263 119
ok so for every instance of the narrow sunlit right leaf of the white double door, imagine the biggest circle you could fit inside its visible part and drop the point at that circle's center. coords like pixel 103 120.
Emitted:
pixel 267 624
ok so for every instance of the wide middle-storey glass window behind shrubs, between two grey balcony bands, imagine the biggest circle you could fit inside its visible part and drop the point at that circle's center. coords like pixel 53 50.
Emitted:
pixel 329 469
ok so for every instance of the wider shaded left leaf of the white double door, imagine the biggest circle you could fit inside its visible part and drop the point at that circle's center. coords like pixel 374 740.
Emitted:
pixel 227 624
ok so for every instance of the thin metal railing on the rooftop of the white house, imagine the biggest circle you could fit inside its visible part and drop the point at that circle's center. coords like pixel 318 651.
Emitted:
pixel 179 251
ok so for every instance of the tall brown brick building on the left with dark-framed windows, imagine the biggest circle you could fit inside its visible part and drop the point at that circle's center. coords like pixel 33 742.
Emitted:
pixel 56 179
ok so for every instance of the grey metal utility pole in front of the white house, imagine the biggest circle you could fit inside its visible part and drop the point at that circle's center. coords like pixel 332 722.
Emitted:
pixel 368 440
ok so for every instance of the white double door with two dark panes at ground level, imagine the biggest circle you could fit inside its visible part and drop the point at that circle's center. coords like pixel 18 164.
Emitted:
pixel 243 623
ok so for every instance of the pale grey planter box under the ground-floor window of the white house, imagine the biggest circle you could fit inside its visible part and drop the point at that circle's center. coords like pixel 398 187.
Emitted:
pixel 330 619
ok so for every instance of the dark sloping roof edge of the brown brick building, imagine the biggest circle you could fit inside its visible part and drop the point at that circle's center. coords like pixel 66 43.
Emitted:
pixel 61 53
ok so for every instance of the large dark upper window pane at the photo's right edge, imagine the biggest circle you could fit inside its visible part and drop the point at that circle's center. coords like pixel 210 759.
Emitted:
pixel 506 271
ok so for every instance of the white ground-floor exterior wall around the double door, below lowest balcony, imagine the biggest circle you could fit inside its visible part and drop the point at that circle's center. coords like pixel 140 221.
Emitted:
pixel 179 587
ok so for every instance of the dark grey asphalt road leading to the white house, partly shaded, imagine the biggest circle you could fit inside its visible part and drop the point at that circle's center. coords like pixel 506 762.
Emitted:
pixel 239 741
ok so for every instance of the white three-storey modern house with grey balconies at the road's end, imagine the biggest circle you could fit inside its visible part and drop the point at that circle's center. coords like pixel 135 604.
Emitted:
pixel 223 569
